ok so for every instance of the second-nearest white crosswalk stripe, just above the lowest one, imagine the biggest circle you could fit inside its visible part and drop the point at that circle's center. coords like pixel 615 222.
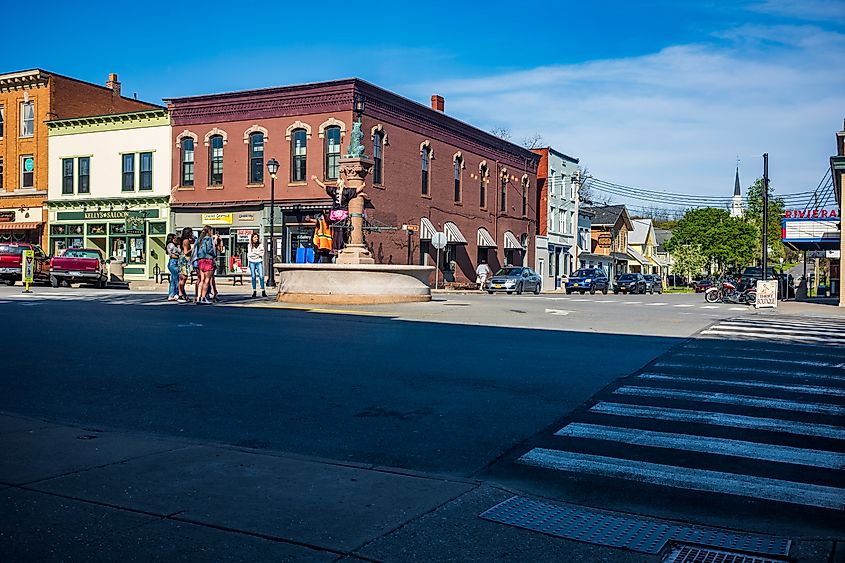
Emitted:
pixel 705 444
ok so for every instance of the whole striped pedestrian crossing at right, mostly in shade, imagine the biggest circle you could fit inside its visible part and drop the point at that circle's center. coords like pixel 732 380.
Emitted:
pixel 753 408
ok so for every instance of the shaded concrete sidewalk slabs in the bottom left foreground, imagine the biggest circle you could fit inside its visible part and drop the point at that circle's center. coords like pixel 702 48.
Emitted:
pixel 70 493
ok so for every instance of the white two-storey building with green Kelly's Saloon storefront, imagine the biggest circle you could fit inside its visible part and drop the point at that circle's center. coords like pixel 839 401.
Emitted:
pixel 109 187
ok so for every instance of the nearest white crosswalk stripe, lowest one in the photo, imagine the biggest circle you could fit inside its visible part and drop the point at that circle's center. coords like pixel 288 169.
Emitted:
pixel 687 478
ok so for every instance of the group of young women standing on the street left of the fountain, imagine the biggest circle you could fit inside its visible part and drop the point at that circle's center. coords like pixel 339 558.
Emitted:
pixel 187 254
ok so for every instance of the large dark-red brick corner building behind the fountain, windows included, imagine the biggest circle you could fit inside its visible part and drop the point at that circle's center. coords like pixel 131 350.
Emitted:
pixel 430 170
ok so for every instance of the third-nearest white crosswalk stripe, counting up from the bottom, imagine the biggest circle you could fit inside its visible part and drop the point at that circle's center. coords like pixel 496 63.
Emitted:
pixel 721 419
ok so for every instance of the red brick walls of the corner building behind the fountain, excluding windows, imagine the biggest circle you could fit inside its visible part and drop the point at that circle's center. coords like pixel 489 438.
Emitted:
pixel 398 199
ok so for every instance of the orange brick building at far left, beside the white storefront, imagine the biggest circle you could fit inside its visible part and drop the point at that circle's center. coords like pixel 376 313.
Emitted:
pixel 28 99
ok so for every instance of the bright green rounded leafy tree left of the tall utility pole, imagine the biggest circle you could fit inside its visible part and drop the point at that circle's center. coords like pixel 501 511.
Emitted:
pixel 724 241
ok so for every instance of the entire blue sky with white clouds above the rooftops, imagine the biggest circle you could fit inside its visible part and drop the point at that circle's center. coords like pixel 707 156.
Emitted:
pixel 656 94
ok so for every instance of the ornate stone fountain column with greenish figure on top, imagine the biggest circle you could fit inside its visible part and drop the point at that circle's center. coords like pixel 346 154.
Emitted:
pixel 354 167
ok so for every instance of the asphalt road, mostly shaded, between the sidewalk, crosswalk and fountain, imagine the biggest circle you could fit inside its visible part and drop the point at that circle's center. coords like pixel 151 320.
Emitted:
pixel 408 386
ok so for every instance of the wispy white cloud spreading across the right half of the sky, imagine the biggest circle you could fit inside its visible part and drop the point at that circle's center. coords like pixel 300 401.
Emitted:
pixel 678 118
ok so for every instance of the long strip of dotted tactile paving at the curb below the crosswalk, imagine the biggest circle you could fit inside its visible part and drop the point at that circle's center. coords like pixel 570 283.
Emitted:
pixel 636 534
